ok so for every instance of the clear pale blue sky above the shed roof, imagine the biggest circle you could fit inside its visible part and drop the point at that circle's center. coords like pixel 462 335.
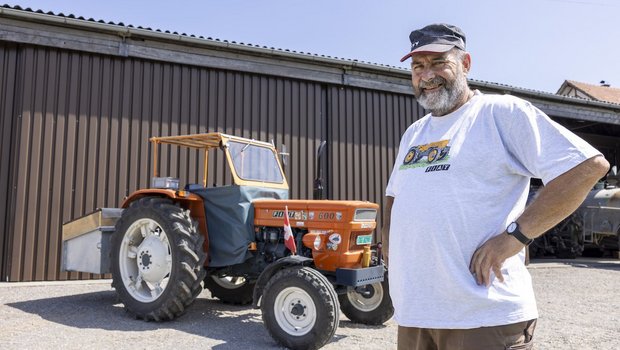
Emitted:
pixel 531 44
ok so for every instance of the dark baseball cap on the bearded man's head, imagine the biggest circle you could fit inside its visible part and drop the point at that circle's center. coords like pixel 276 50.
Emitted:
pixel 438 37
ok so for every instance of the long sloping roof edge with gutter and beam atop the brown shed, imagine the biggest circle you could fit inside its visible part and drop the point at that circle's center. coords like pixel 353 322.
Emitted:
pixel 105 37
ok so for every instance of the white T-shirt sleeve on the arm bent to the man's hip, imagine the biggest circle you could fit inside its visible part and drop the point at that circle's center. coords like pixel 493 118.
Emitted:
pixel 539 147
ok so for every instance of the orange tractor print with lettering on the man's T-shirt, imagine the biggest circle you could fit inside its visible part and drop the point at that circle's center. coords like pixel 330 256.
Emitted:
pixel 435 153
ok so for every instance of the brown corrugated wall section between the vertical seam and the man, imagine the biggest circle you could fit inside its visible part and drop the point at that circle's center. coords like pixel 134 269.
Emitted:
pixel 365 127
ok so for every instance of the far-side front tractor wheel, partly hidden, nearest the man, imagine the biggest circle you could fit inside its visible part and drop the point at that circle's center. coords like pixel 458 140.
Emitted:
pixel 370 304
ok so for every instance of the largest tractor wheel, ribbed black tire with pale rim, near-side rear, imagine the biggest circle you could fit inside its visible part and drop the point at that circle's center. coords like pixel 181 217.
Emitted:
pixel 157 259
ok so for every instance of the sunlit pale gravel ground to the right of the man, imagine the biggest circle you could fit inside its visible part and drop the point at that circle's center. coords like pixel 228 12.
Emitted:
pixel 579 305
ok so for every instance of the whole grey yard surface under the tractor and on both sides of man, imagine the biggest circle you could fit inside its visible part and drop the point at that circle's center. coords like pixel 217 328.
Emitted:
pixel 578 300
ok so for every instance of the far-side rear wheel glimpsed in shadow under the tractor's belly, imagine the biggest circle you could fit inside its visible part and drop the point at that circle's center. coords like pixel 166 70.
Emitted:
pixel 230 290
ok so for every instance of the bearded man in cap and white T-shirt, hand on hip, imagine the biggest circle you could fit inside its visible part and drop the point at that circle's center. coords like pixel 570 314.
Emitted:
pixel 455 228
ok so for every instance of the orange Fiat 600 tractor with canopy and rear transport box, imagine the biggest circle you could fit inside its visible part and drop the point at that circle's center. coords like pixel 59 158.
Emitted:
pixel 166 242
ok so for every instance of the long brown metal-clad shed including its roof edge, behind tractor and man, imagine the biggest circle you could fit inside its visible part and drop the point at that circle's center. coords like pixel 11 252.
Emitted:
pixel 74 125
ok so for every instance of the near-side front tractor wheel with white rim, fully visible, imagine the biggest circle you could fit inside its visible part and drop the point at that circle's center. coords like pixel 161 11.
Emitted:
pixel 300 308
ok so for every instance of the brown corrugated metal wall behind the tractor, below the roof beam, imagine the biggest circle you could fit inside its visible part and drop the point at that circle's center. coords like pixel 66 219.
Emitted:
pixel 80 122
